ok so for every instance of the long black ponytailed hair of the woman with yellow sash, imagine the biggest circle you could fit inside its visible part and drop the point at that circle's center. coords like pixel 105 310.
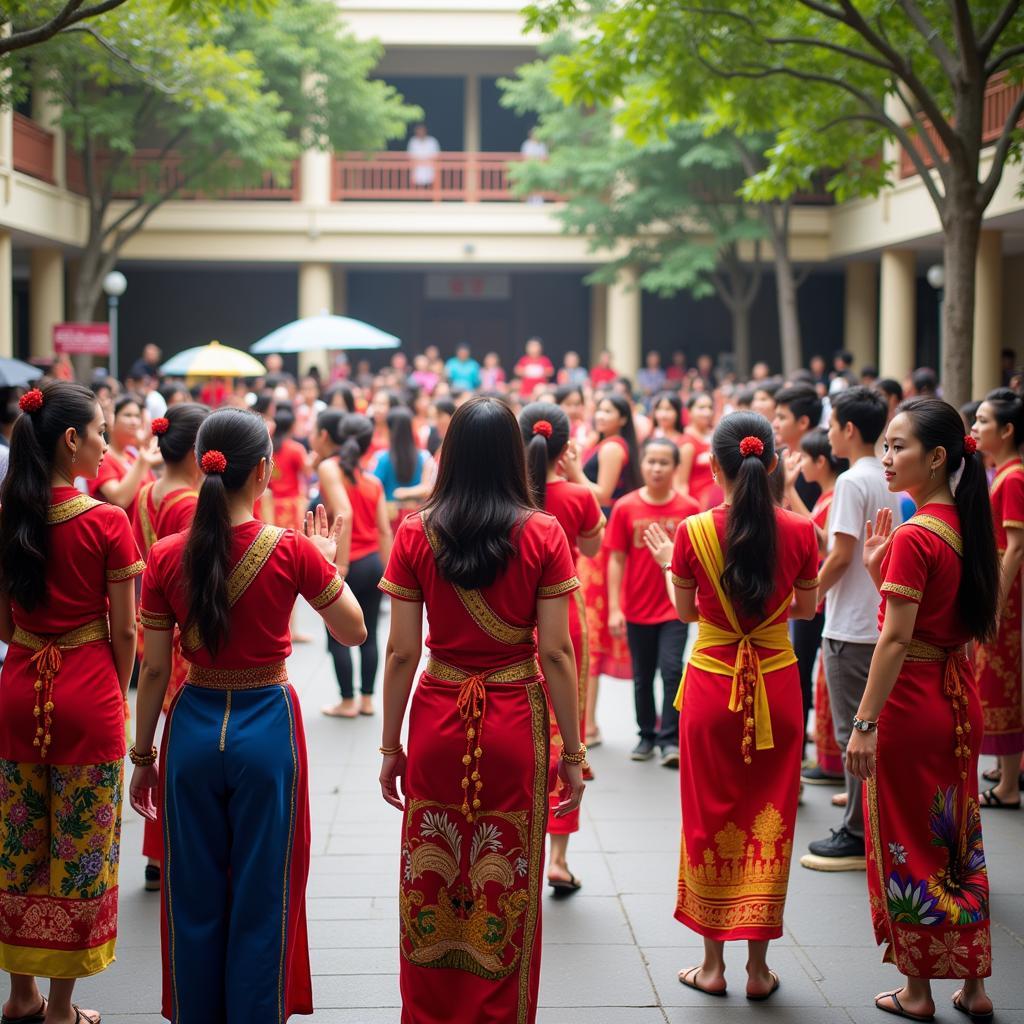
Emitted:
pixel 752 534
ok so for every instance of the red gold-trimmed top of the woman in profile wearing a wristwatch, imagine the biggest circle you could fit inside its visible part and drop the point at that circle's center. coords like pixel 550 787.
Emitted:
pixel 924 565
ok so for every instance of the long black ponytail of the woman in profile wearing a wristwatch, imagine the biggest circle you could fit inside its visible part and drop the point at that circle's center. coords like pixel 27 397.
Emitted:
pixel 936 424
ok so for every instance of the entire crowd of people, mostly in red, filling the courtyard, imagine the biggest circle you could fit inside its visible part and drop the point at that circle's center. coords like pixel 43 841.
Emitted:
pixel 848 547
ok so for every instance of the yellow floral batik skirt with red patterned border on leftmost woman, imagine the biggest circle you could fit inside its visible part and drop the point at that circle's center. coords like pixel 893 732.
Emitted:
pixel 60 846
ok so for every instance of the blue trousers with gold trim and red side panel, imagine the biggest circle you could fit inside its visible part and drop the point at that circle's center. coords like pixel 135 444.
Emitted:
pixel 236 858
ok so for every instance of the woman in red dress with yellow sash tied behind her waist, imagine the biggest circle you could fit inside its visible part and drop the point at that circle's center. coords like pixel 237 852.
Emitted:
pixel 740 572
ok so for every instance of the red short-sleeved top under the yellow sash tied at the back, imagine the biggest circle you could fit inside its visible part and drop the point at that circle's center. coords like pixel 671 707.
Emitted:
pixel 796 568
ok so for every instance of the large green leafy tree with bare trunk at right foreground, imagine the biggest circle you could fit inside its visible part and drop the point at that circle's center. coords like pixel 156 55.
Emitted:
pixel 833 80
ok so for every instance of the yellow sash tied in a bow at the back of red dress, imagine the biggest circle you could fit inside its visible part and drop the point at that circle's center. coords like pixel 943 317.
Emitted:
pixel 748 670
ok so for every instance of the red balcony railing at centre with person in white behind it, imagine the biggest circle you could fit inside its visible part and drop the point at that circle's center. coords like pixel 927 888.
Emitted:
pixel 465 178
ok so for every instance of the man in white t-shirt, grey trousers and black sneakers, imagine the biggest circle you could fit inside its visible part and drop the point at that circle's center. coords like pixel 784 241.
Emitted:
pixel 851 629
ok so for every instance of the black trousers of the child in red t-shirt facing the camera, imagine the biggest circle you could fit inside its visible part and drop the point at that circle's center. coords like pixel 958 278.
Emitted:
pixel 653 649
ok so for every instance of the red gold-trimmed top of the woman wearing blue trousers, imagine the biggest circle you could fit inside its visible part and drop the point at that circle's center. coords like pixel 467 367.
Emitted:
pixel 260 632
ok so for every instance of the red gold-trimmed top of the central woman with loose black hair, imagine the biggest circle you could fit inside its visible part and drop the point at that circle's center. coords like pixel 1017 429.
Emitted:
pixel 541 569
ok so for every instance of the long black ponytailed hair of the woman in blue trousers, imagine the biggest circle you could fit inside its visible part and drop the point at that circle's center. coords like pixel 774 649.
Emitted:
pixel 242 438
